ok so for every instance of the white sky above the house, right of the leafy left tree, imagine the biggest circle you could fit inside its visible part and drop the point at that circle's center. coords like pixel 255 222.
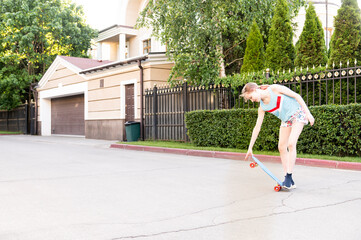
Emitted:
pixel 101 14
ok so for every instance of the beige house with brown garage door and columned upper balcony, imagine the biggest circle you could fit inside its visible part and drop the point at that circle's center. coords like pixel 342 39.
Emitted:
pixel 94 98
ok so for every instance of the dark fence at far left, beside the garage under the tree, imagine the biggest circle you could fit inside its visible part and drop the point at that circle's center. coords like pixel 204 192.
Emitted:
pixel 20 119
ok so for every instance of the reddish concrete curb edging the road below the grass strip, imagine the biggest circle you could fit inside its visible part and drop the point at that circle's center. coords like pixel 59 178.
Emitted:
pixel 241 156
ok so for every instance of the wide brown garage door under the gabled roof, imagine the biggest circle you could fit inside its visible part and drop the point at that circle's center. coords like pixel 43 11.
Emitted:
pixel 67 115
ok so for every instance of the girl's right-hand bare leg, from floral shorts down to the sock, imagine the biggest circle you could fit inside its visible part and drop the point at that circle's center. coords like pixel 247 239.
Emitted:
pixel 297 128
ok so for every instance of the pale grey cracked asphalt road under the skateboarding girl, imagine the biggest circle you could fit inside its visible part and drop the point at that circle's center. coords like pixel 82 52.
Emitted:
pixel 61 188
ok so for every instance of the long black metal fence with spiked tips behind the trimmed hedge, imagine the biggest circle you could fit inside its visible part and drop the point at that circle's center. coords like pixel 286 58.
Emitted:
pixel 165 107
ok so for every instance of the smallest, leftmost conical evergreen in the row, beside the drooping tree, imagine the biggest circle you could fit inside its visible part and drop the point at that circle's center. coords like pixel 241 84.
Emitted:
pixel 254 56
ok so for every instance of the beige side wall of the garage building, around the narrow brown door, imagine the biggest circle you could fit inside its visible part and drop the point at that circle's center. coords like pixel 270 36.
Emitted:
pixel 106 104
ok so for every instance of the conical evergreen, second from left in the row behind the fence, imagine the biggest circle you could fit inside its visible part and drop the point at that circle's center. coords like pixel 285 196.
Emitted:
pixel 280 52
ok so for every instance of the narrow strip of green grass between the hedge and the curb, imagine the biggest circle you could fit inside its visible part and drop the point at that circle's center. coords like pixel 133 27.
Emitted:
pixel 170 144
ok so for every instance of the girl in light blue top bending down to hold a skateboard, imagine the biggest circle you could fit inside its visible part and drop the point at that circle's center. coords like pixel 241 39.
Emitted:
pixel 294 114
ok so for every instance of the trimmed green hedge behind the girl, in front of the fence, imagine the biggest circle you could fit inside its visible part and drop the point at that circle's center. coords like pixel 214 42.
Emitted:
pixel 337 130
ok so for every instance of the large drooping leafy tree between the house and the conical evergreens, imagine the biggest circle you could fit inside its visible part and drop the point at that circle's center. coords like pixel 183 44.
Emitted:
pixel 201 35
